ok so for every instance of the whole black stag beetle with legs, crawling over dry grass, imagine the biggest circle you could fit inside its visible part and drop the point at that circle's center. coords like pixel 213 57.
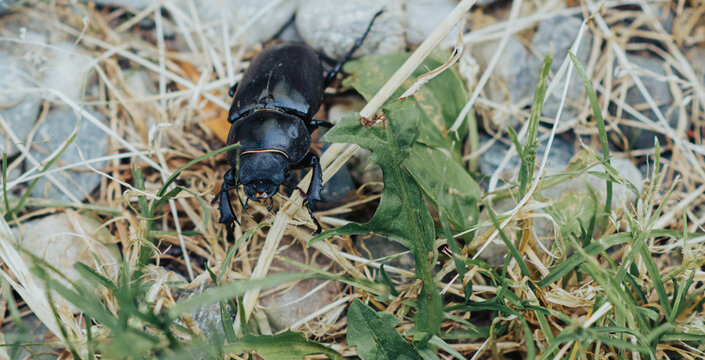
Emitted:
pixel 272 119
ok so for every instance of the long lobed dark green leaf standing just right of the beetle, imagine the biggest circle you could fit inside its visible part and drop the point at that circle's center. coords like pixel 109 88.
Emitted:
pixel 402 215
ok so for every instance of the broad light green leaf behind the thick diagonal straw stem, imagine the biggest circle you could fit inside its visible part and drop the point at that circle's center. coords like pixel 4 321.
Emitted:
pixel 439 101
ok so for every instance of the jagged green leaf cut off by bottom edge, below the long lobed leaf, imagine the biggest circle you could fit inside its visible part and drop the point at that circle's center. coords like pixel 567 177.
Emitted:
pixel 374 336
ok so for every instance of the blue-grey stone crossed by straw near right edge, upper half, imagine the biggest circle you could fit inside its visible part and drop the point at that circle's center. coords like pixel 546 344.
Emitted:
pixel 651 72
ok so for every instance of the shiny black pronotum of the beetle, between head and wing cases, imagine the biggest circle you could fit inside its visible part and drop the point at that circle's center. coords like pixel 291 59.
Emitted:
pixel 273 131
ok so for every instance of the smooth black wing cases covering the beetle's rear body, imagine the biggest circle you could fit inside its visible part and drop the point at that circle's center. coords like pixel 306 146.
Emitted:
pixel 286 77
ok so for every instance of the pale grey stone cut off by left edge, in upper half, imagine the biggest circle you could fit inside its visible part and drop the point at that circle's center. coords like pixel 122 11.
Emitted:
pixel 18 109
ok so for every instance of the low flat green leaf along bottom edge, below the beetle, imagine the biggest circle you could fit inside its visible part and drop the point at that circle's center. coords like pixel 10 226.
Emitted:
pixel 285 346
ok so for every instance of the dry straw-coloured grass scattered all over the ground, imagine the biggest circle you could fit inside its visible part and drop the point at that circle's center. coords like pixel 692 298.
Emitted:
pixel 162 131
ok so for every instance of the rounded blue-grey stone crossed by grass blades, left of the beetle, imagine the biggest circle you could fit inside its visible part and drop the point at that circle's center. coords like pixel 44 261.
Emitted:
pixel 91 141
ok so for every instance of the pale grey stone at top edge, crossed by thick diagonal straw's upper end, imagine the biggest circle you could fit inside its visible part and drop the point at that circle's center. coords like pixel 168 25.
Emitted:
pixel 423 16
